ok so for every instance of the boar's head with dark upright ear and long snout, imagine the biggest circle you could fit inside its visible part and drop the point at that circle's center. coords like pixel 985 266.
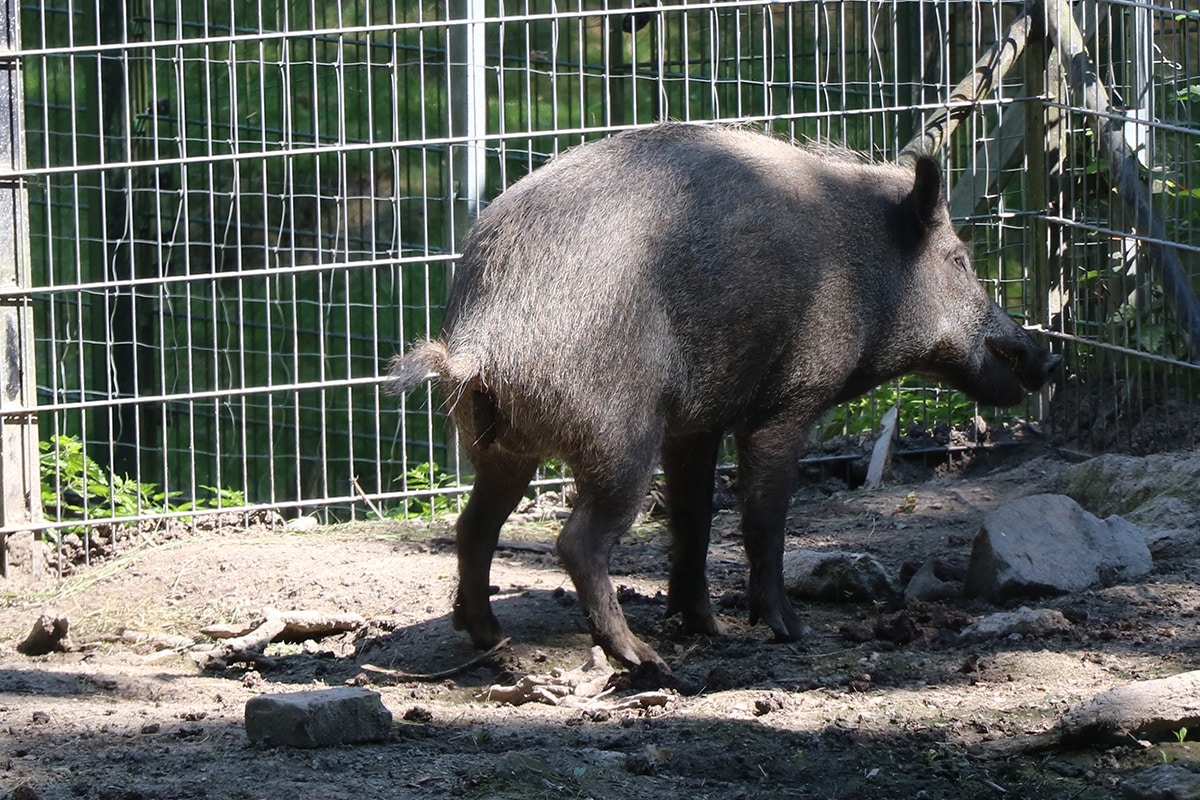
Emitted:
pixel 970 342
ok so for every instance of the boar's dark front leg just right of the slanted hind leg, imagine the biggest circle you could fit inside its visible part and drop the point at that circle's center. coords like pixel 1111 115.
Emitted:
pixel 689 465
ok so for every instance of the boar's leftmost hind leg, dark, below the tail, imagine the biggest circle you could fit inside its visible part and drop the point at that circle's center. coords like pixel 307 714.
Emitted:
pixel 501 480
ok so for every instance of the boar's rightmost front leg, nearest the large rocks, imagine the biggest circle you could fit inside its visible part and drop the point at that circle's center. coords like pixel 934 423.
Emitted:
pixel 767 478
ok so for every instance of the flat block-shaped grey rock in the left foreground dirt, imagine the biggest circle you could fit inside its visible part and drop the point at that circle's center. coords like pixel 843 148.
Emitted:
pixel 317 719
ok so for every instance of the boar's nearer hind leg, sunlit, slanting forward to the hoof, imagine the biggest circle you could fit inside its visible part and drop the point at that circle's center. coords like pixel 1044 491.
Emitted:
pixel 603 514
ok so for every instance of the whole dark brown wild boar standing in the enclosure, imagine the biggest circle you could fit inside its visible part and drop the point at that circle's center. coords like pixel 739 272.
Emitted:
pixel 633 302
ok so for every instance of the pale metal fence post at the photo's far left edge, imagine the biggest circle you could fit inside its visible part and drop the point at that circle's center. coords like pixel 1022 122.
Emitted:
pixel 21 502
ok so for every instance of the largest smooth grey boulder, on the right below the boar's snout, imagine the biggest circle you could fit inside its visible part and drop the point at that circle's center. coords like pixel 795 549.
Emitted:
pixel 1048 545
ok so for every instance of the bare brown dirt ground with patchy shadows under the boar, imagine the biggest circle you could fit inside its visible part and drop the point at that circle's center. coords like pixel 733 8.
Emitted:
pixel 898 715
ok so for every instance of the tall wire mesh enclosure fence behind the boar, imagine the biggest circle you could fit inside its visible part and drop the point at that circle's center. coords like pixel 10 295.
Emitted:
pixel 226 216
